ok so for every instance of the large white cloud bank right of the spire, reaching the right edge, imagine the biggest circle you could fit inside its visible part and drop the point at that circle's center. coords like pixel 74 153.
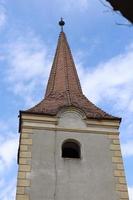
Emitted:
pixel 110 81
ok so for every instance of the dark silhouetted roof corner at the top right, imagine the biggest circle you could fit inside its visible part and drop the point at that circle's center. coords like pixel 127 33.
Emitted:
pixel 124 6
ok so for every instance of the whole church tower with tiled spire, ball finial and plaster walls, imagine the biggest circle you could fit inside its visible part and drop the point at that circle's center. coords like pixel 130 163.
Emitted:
pixel 69 149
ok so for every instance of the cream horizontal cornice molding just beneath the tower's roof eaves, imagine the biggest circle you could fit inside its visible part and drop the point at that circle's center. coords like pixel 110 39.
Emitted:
pixel 50 123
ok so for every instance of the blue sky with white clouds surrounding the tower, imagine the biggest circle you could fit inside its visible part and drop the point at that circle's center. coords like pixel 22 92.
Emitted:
pixel 103 53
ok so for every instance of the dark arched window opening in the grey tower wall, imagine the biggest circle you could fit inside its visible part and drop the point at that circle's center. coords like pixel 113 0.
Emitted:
pixel 71 149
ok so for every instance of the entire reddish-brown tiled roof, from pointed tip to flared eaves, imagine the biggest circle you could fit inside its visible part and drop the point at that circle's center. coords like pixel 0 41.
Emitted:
pixel 64 89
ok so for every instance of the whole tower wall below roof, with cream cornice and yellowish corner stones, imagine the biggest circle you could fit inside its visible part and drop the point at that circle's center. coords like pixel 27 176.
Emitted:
pixel 44 174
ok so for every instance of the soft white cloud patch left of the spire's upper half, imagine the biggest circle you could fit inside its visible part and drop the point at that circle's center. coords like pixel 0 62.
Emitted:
pixel 27 57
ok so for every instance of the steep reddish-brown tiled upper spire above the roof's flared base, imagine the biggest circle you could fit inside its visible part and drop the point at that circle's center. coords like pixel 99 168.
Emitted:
pixel 63 76
